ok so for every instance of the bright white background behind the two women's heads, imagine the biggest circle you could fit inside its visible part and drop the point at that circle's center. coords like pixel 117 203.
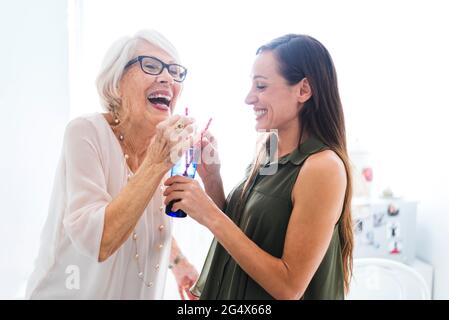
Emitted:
pixel 390 58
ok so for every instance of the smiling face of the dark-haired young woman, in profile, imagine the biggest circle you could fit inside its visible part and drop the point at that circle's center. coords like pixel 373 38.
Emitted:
pixel 275 102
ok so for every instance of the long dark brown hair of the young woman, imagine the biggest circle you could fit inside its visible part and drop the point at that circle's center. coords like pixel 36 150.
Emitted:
pixel 299 57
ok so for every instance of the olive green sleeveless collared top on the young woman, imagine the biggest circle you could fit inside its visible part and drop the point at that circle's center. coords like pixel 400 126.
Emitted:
pixel 264 220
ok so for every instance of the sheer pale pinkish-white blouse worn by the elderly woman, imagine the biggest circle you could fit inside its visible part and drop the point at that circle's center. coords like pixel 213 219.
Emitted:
pixel 91 172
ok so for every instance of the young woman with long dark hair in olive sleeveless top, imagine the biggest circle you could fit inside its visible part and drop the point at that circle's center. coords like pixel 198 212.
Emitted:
pixel 283 233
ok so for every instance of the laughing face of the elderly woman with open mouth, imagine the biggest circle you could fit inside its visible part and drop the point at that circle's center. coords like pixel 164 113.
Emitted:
pixel 146 97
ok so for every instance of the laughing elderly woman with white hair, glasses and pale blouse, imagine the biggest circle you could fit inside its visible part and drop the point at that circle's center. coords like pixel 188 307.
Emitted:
pixel 107 236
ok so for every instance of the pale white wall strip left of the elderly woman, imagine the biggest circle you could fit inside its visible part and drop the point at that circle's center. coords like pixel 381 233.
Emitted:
pixel 34 105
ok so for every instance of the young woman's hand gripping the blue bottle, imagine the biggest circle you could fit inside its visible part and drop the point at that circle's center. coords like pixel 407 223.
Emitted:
pixel 190 198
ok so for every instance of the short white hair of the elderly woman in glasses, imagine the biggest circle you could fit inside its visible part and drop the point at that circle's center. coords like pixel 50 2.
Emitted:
pixel 116 58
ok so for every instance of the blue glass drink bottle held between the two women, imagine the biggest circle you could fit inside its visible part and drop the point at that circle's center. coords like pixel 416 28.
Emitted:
pixel 186 166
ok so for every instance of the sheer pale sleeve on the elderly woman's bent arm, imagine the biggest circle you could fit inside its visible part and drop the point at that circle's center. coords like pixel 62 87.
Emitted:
pixel 87 195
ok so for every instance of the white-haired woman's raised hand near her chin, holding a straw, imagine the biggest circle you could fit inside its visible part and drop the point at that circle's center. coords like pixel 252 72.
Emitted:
pixel 173 137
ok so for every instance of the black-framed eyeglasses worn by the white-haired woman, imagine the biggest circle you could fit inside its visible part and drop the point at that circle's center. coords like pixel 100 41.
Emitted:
pixel 154 66
